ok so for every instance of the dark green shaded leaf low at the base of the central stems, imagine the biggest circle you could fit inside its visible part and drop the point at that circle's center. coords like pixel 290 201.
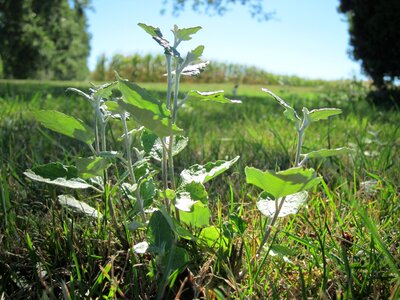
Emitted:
pixel 159 232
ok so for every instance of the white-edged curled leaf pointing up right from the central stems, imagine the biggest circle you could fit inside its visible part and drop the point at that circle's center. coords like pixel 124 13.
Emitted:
pixel 204 173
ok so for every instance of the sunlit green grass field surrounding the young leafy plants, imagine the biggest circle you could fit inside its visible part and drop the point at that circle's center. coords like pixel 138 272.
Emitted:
pixel 343 244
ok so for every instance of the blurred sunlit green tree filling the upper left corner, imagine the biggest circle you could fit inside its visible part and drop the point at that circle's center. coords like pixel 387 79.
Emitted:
pixel 44 39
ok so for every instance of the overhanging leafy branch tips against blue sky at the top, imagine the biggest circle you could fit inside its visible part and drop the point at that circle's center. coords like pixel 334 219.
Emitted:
pixel 219 7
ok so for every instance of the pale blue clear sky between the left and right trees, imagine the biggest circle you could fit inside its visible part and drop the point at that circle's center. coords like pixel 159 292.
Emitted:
pixel 308 38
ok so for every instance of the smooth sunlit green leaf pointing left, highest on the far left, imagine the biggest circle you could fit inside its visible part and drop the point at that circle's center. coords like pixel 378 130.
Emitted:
pixel 65 124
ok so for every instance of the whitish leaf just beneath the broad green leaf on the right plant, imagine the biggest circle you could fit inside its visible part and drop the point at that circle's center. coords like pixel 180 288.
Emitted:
pixel 291 205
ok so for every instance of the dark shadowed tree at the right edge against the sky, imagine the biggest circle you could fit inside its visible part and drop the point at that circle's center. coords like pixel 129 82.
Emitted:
pixel 375 37
